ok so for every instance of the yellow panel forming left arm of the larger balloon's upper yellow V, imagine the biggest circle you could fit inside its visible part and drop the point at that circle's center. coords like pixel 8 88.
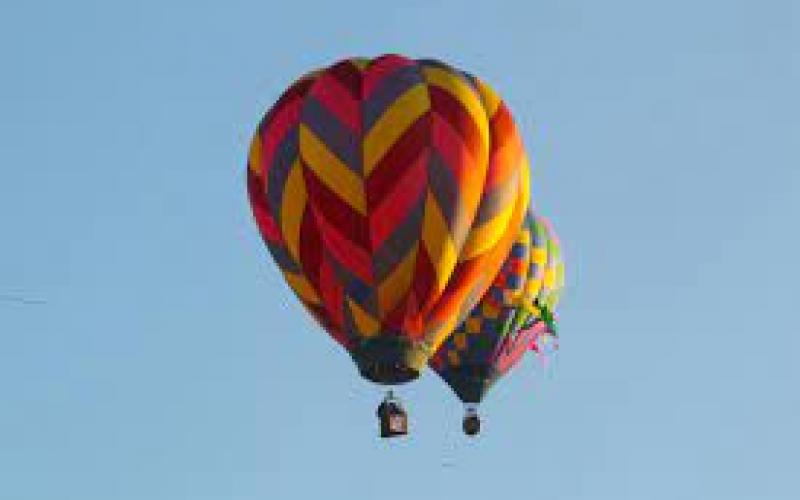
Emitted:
pixel 331 171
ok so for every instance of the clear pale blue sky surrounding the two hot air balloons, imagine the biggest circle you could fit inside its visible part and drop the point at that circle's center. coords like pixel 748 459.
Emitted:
pixel 170 362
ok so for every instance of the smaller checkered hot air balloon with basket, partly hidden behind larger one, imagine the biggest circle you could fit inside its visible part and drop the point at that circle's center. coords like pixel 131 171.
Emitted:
pixel 514 316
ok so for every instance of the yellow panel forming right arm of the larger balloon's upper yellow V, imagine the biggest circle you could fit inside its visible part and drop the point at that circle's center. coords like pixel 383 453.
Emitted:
pixel 394 122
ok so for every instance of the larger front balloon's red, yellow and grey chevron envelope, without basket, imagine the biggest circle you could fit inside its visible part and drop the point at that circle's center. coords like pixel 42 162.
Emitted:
pixel 388 191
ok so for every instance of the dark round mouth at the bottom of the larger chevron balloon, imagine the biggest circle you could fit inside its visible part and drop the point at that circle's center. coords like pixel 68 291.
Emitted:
pixel 387 360
